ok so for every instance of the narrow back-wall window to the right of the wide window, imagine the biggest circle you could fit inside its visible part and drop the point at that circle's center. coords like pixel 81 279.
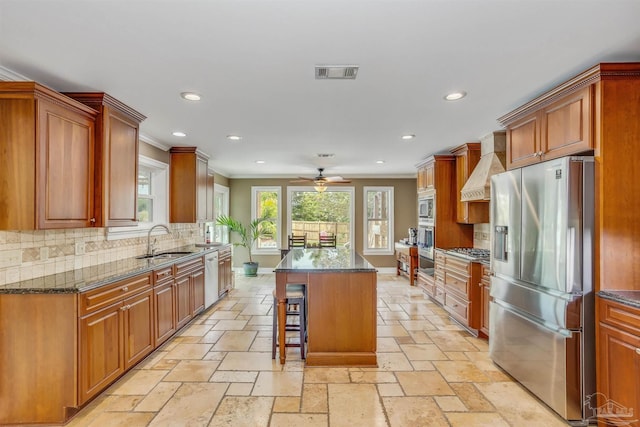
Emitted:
pixel 378 220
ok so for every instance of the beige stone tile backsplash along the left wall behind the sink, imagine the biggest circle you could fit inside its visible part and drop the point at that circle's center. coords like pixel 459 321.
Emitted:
pixel 27 255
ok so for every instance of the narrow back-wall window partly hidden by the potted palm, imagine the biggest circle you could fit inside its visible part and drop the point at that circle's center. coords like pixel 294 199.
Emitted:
pixel 265 203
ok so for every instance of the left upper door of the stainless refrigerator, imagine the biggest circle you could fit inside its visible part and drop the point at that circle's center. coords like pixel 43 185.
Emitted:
pixel 505 223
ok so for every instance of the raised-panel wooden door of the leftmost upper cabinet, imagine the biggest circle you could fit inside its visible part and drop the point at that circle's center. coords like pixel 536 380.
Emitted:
pixel 64 172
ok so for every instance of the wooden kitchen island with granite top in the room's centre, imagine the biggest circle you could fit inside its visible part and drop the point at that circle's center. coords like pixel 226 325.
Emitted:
pixel 341 304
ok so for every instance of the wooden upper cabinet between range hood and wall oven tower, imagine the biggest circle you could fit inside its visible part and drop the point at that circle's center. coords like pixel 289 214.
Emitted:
pixel 467 157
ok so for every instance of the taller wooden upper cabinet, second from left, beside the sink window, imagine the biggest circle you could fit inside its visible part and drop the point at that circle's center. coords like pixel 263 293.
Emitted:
pixel 117 133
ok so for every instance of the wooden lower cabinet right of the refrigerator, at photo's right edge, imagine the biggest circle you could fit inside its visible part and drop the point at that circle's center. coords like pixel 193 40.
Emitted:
pixel 618 361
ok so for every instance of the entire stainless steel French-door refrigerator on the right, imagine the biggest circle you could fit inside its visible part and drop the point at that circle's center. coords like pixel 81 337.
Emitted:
pixel 542 313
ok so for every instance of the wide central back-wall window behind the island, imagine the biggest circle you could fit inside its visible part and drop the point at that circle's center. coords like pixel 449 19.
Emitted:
pixel 327 213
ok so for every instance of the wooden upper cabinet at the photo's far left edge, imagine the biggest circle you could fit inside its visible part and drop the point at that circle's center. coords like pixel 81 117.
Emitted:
pixel 47 166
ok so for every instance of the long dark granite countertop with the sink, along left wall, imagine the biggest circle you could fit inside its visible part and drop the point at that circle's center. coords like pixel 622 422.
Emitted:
pixel 87 278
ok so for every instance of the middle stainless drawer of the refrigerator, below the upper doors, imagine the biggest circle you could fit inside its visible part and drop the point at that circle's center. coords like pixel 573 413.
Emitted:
pixel 556 311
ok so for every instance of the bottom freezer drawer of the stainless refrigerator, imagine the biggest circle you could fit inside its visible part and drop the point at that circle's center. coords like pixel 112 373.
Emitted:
pixel 547 363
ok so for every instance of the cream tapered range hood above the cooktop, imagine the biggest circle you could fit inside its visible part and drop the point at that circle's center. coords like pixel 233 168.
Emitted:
pixel 492 161
